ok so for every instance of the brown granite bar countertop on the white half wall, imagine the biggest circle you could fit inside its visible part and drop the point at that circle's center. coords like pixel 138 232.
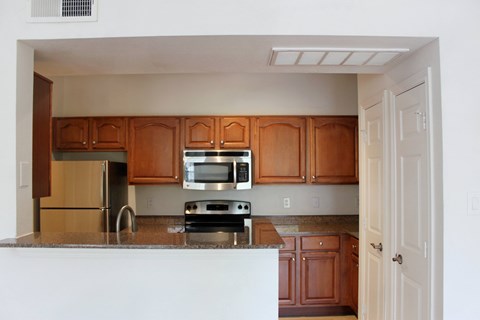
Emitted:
pixel 261 235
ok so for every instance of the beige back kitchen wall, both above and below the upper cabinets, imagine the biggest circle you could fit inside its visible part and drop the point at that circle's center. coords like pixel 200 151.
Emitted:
pixel 196 94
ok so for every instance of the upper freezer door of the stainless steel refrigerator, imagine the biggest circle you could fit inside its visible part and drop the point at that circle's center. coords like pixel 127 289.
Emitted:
pixel 77 184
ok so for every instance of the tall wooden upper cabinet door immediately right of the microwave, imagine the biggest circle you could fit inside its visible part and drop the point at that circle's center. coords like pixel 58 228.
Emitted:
pixel 280 149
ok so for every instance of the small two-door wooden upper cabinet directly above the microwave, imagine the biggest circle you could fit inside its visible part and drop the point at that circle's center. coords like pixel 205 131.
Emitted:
pixel 217 132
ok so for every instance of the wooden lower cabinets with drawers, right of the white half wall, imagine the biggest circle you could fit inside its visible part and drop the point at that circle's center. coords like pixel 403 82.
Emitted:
pixel 314 278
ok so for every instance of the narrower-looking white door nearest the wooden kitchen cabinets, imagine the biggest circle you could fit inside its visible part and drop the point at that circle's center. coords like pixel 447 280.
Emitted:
pixel 372 304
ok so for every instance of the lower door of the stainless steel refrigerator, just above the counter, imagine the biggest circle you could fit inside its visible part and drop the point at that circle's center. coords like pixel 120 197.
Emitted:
pixel 64 220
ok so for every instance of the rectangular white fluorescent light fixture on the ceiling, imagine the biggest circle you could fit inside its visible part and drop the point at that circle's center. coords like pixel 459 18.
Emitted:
pixel 334 56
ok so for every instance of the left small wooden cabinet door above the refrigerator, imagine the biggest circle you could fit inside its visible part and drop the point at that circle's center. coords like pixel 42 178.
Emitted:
pixel 71 134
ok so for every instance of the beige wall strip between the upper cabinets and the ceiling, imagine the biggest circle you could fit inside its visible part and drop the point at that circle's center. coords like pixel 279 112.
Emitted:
pixel 182 94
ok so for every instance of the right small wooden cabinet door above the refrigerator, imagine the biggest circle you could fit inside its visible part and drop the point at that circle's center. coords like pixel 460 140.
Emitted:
pixel 109 133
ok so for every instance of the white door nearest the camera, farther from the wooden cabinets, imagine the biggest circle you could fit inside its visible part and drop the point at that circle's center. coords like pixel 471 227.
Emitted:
pixel 411 276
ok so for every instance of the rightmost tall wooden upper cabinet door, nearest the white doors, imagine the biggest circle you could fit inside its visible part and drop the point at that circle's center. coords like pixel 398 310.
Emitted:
pixel 334 150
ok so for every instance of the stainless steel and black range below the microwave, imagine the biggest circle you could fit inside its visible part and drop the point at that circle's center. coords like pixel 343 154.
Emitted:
pixel 216 215
